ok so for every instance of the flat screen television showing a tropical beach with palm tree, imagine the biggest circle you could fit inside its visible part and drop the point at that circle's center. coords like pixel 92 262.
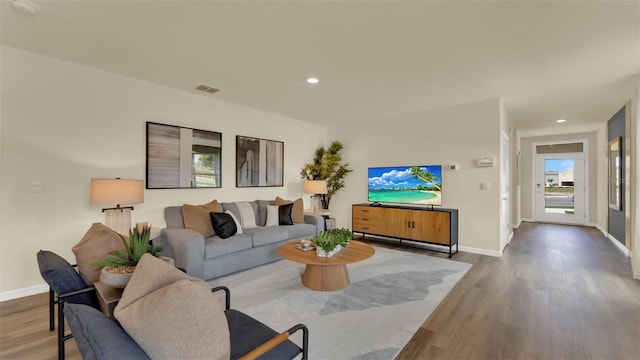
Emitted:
pixel 419 185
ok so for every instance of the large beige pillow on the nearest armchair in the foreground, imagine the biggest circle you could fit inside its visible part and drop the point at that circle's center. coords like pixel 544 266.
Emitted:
pixel 171 315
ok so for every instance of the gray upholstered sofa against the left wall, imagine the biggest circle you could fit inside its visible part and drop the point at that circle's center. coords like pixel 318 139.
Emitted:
pixel 212 257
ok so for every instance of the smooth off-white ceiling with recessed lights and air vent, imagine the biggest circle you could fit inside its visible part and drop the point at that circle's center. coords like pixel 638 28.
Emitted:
pixel 375 60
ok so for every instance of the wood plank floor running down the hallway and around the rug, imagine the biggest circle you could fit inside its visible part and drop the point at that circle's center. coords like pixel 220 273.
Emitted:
pixel 559 292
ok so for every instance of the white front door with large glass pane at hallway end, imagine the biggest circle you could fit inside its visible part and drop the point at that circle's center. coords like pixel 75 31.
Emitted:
pixel 560 188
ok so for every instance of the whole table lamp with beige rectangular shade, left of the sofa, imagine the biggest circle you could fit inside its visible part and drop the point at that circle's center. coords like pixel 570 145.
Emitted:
pixel 117 191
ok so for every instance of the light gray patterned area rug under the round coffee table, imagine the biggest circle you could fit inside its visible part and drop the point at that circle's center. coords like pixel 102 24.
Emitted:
pixel 390 296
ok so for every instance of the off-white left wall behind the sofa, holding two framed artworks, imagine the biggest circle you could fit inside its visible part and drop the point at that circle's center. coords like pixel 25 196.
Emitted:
pixel 63 124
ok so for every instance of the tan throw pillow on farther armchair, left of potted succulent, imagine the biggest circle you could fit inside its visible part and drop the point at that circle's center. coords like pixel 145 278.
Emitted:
pixel 96 243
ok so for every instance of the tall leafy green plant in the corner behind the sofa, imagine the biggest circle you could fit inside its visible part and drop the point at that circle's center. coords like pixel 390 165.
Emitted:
pixel 327 165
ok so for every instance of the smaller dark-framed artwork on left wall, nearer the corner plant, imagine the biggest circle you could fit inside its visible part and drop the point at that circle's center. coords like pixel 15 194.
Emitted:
pixel 259 162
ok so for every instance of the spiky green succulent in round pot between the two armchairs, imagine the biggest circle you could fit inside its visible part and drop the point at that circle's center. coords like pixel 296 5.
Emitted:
pixel 118 265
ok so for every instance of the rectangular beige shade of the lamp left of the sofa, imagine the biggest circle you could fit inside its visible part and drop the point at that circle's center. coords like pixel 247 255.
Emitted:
pixel 116 191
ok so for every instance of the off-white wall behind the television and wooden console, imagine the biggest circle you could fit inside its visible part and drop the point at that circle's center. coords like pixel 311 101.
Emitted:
pixel 455 135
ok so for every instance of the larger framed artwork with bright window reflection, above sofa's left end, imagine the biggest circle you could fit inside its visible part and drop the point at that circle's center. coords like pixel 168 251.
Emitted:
pixel 180 157
